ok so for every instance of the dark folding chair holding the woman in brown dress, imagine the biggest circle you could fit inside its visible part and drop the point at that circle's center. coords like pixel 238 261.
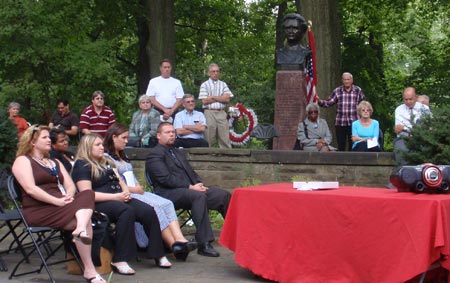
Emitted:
pixel 46 241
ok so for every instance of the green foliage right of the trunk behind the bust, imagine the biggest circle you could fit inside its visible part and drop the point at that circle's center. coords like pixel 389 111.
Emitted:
pixel 389 45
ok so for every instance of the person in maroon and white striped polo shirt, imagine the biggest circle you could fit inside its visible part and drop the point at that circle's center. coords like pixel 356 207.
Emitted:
pixel 96 118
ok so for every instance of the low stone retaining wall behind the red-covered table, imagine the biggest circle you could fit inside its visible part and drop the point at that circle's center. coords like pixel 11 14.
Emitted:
pixel 231 168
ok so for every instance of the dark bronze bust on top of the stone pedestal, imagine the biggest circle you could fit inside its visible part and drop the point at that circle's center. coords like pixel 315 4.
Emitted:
pixel 293 55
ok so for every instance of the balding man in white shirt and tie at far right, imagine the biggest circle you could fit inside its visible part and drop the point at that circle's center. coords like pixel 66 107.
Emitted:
pixel 406 115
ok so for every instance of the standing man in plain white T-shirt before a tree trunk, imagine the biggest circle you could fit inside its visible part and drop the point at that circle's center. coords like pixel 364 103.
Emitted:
pixel 165 92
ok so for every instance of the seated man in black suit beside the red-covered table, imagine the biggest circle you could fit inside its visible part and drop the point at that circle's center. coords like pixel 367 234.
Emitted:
pixel 174 179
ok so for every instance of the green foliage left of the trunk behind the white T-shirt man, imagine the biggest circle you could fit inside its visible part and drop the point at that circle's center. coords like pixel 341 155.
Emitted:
pixel 61 48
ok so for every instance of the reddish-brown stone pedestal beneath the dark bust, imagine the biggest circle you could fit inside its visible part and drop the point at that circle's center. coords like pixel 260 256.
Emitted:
pixel 290 104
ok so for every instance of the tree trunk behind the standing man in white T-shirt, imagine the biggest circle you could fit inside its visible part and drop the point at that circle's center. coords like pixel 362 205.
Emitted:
pixel 160 41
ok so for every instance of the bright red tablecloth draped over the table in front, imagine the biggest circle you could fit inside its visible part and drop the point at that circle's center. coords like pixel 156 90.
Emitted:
pixel 346 235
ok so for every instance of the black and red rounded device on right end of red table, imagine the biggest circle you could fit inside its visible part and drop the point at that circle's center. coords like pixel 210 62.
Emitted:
pixel 425 178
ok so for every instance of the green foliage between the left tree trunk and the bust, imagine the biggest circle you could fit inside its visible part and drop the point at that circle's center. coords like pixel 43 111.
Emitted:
pixel 239 38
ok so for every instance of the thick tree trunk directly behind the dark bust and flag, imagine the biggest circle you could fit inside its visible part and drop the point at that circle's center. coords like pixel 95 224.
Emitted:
pixel 327 36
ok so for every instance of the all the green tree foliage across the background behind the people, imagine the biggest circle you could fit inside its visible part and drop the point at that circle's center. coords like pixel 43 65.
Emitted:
pixel 63 48
